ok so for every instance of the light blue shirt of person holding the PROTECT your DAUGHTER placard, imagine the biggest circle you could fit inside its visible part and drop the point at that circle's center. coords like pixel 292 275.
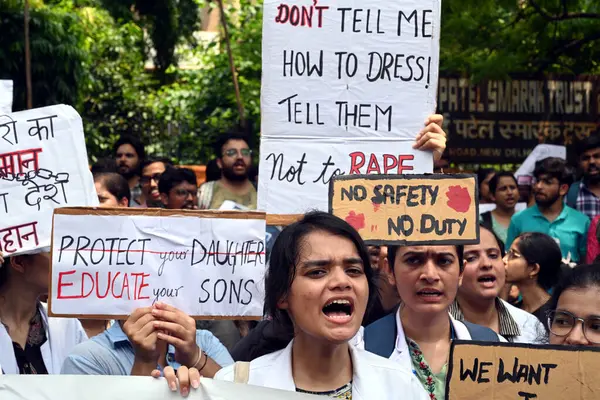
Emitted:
pixel 111 353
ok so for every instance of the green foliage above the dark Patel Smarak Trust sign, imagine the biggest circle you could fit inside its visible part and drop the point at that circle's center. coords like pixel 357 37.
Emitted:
pixel 492 38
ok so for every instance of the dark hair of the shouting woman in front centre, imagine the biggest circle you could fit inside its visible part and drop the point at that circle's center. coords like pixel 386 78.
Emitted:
pixel 285 256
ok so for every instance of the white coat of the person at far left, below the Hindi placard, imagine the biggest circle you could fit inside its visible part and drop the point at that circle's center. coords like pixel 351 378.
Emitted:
pixel 62 335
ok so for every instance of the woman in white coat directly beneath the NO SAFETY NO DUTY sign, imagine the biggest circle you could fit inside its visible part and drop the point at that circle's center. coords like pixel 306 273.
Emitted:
pixel 419 335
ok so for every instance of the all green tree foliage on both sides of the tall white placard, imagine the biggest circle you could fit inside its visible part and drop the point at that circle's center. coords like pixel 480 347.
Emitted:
pixel 91 54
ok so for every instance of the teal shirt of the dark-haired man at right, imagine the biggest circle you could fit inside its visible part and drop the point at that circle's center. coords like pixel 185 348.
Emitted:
pixel 570 229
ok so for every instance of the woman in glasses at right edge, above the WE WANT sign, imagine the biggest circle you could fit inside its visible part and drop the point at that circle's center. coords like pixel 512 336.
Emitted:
pixel 574 318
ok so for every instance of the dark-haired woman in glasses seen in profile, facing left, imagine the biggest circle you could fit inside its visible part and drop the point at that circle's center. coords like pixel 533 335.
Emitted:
pixel 533 263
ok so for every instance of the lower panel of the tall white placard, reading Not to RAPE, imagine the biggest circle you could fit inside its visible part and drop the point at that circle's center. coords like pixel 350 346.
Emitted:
pixel 295 173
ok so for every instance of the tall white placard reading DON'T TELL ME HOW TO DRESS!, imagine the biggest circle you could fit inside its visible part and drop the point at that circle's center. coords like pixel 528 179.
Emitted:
pixel 345 91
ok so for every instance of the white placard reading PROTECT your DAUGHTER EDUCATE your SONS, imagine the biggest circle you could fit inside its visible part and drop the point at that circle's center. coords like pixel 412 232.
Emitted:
pixel 109 262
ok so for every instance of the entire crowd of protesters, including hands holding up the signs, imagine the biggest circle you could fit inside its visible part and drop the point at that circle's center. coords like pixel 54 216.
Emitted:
pixel 335 309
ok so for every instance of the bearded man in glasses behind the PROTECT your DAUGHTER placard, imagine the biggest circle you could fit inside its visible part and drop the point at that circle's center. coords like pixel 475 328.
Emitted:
pixel 234 158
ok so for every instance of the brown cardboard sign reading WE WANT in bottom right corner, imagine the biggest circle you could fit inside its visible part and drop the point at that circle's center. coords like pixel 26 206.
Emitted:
pixel 499 371
